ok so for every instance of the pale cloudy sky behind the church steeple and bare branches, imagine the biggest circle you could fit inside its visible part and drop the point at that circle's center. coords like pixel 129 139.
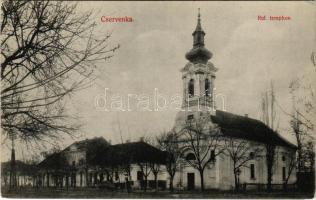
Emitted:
pixel 248 53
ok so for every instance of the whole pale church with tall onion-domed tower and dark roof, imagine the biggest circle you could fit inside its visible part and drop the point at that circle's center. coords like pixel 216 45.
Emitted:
pixel 229 149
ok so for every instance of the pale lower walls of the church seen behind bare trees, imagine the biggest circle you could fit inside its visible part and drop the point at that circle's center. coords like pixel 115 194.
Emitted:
pixel 221 176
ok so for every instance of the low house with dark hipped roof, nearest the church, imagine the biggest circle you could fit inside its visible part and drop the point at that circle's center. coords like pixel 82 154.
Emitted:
pixel 136 162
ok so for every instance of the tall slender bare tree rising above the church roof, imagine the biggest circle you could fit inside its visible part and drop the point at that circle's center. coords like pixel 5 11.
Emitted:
pixel 269 118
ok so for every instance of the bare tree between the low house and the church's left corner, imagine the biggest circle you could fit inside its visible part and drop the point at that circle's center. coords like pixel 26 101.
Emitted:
pixel 169 143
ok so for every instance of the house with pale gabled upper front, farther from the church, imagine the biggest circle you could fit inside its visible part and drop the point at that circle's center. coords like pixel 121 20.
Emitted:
pixel 73 166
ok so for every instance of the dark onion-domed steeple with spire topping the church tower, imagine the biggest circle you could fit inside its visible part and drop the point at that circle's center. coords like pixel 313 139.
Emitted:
pixel 198 54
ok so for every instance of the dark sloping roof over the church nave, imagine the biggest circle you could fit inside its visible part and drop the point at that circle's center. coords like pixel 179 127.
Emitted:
pixel 247 128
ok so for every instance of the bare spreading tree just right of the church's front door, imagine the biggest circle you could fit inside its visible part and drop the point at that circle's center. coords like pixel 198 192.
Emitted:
pixel 203 142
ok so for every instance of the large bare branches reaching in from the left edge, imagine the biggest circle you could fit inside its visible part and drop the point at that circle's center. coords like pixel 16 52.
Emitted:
pixel 48 51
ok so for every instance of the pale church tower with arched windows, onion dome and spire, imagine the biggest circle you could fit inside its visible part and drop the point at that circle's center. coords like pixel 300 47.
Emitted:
pixel 198 77
